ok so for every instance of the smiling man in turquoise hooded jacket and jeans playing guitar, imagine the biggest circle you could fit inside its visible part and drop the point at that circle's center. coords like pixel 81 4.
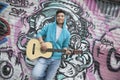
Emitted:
pixel 56 33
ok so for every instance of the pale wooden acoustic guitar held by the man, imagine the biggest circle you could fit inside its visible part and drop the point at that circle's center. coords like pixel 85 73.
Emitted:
pixel 33 50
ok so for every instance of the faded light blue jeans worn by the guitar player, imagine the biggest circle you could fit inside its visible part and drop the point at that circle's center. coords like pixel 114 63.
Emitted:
pixel 45 69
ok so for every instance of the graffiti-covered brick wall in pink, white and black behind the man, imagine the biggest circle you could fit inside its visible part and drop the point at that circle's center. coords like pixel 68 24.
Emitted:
pixel 94 27
